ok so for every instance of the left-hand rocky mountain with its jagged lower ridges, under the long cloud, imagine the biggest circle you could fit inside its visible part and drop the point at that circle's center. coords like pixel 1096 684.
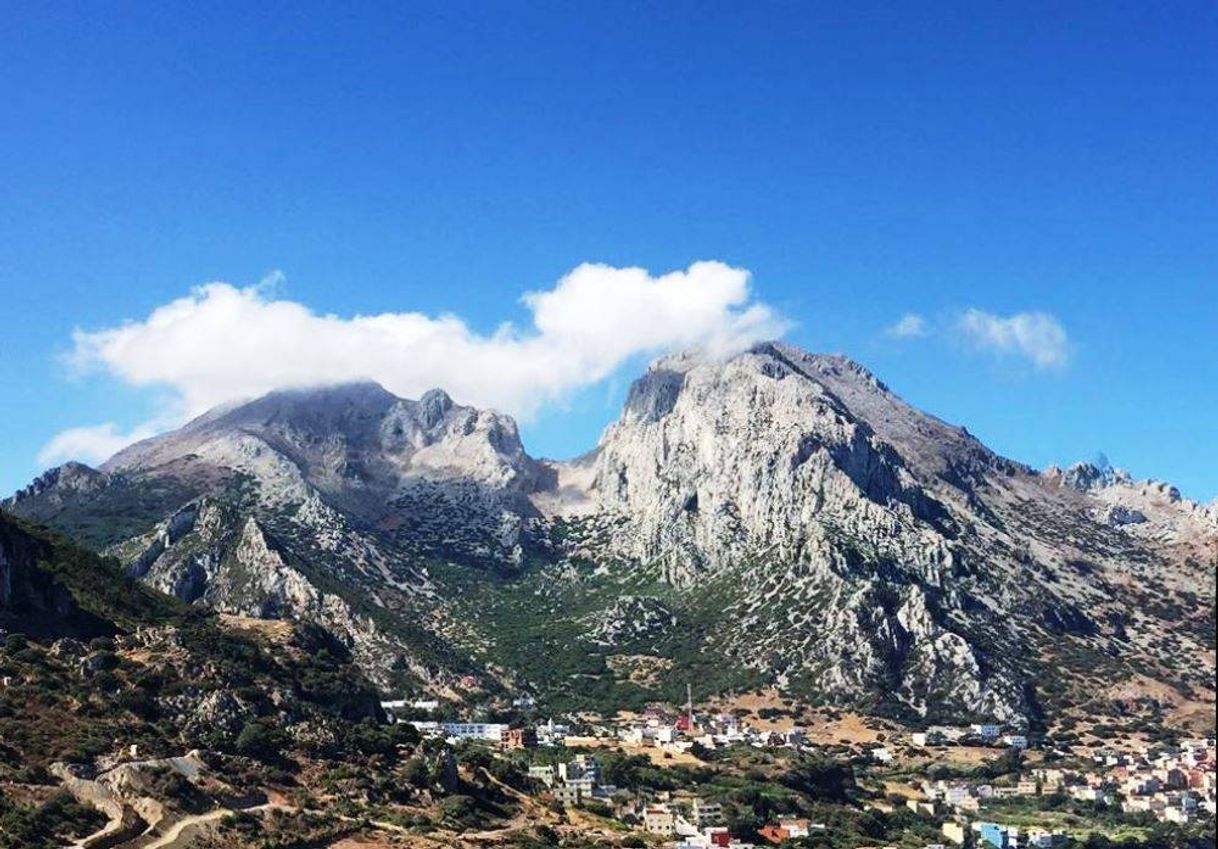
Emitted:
pixel 314 505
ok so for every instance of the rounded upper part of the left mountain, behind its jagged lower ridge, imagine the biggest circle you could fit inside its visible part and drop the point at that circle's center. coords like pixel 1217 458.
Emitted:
pixel 432 474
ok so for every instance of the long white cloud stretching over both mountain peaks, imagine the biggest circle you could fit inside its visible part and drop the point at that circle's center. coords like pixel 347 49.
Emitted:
pixel 222 343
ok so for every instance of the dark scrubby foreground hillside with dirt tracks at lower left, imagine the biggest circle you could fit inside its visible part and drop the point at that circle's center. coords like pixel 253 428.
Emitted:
pixel 132 720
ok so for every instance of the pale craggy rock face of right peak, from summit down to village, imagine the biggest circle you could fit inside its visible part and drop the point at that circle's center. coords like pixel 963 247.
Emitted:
pixel 756 470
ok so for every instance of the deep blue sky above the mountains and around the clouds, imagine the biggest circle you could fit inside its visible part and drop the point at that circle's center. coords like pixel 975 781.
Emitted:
pixel 864 163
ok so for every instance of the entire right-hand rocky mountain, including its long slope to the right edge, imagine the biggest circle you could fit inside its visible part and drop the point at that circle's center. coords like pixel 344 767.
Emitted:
pixel 869 548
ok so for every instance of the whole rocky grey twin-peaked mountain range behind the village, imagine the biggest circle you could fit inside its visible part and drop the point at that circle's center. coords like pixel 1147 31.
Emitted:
pixel 778 520
